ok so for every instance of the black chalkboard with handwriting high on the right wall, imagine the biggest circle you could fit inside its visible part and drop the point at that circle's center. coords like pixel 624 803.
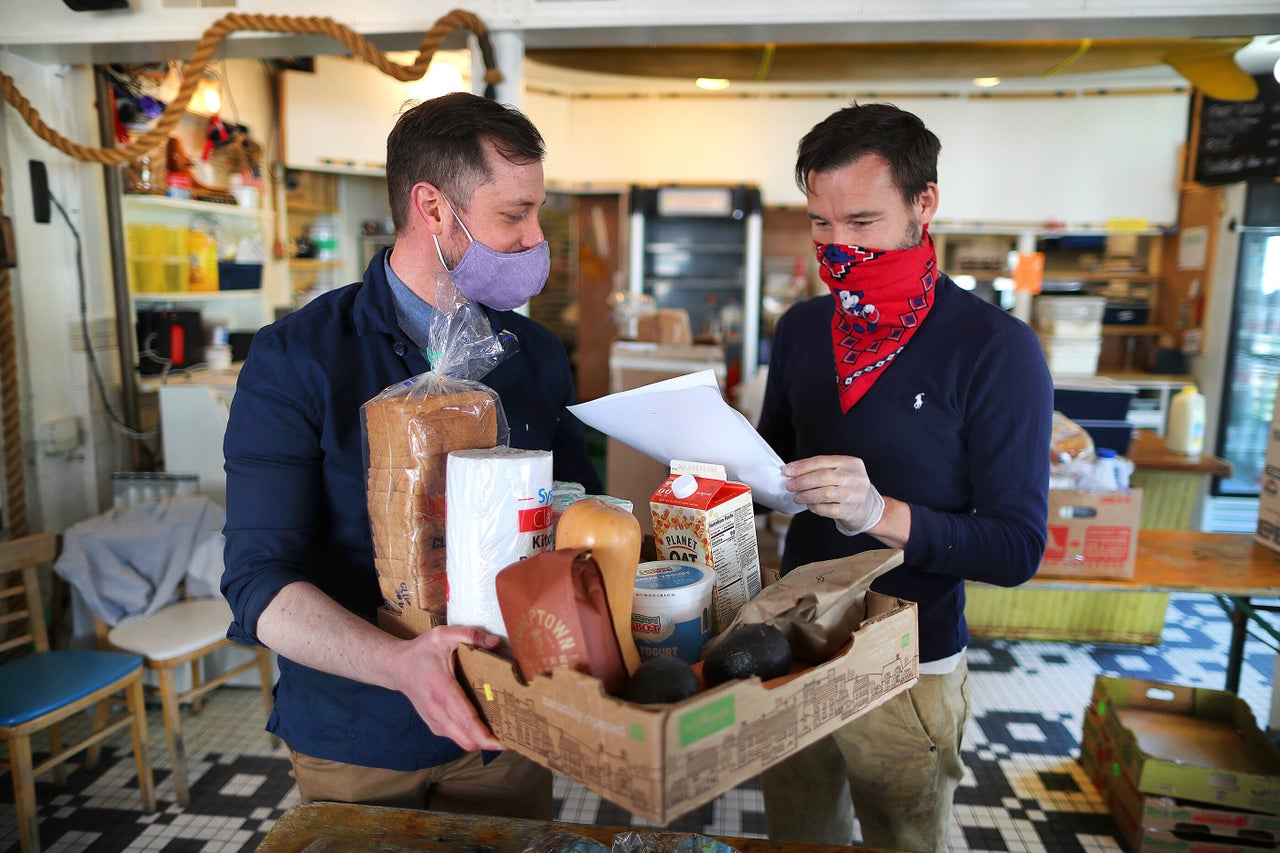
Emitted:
pixel 1240 140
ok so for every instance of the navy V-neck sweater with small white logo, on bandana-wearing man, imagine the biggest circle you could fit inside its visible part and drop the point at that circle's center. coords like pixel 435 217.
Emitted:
pixel 958 428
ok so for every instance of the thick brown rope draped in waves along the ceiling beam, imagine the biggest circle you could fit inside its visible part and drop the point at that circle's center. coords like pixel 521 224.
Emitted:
pixel 234 22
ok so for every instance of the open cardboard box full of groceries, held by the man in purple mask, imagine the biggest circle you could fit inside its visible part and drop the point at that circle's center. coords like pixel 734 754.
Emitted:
pixel 662 761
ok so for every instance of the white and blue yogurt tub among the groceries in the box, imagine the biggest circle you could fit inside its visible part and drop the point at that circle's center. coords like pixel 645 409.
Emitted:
pixel 671 609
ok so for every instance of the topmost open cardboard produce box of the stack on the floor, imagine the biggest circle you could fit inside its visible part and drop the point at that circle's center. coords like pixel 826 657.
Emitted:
pixel 1188 743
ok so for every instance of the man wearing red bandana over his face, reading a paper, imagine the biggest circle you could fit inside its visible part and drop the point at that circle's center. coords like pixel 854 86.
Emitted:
pixel 913 416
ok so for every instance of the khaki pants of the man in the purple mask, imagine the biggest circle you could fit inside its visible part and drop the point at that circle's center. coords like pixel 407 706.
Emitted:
pixel 510 786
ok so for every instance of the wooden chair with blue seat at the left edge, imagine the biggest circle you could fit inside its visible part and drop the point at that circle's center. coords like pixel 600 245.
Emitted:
pixel 42 688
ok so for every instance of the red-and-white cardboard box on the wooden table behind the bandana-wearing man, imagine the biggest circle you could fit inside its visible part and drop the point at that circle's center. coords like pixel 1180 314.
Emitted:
pixel 1092 535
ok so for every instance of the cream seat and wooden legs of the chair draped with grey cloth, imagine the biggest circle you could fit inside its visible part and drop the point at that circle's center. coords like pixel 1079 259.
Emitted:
pixel 186 632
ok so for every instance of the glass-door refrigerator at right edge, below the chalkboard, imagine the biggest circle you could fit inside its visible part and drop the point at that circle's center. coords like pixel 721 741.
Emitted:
pixel 1247 380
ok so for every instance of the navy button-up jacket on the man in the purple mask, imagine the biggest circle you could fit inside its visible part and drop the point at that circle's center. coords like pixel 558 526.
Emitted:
pixel 296 507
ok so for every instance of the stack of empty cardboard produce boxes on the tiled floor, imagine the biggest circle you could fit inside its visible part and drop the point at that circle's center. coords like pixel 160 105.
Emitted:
pixel 1183 770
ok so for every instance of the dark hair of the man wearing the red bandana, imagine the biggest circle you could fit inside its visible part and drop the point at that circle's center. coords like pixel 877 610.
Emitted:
pixel 900 138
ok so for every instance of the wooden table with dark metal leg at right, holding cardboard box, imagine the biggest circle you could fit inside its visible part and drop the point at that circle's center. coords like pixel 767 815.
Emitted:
pixel 1227 565
